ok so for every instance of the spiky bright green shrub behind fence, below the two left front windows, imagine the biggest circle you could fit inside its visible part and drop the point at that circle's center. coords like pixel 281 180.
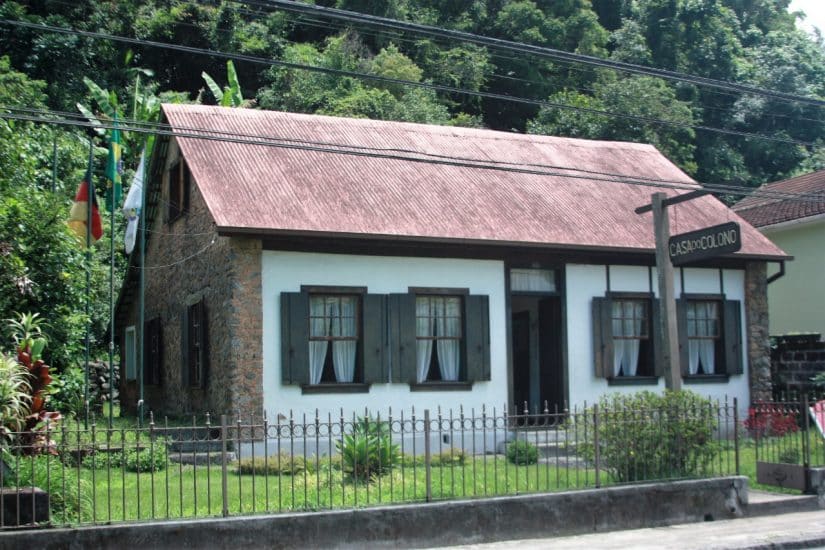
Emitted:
pixel 368 450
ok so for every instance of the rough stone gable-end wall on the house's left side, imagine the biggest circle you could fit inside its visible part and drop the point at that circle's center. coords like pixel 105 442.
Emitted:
pixel 186 260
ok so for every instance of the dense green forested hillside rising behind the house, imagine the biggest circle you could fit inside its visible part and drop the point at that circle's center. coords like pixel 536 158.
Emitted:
pixel 716 135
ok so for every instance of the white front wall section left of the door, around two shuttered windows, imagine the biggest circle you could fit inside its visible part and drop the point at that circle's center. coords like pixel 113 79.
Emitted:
pixel 287 271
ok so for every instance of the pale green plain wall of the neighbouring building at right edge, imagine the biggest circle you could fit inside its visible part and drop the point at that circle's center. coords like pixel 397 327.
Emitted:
pixel 797 300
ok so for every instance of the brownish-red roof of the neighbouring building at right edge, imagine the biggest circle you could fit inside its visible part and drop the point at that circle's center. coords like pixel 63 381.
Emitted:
pixel 760 211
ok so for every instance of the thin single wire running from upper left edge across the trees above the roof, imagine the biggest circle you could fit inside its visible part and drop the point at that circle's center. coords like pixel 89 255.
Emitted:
pixel 388 80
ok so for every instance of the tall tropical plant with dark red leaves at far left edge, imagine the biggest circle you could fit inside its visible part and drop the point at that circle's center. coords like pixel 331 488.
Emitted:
pixel 35 421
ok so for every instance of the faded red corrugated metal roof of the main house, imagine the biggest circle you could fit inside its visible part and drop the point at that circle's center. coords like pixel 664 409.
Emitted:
pixel 267 189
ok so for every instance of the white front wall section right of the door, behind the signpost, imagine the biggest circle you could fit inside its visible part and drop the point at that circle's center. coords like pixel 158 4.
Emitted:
pixel 584 282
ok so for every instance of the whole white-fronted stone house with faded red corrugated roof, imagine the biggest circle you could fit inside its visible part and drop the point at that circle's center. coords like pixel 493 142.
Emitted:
pixel 330 263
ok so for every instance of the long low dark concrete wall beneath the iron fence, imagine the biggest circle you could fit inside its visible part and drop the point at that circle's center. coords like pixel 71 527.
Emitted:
pixel 422 525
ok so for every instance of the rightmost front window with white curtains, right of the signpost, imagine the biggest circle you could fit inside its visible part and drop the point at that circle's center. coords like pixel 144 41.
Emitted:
pixel 703 335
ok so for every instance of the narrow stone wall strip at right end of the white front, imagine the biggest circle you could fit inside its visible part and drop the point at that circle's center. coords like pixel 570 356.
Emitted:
pixel 758 337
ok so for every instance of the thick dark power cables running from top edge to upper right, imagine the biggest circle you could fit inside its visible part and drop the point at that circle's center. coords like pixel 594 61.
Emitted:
pixel 384 22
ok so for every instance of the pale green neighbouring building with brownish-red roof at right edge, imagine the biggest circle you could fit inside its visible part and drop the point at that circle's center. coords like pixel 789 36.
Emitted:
pixel 796 301
